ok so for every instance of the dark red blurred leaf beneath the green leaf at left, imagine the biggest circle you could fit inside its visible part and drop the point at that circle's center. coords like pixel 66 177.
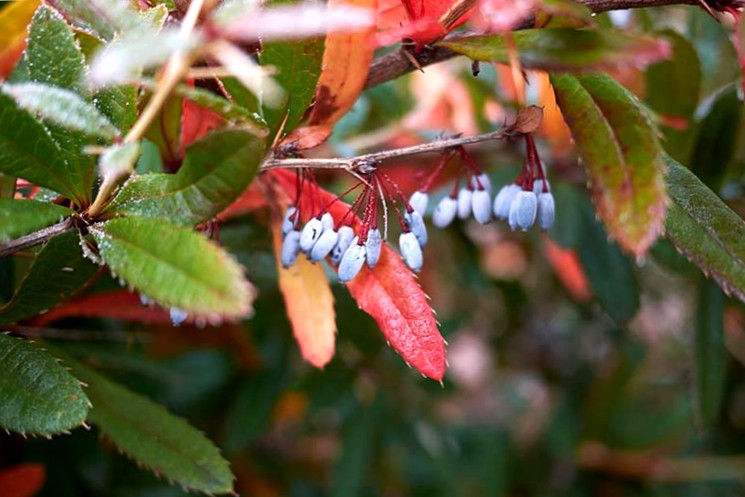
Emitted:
pixel 117 304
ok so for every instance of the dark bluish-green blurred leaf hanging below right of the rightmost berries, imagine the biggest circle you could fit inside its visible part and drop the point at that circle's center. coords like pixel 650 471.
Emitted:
pixel 609 271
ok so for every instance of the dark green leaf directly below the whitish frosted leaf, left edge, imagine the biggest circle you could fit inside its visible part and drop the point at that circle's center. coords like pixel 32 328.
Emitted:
pixel 27 151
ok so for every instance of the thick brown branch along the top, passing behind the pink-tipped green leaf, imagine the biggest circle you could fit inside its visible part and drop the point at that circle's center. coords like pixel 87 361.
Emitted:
pixel 397 63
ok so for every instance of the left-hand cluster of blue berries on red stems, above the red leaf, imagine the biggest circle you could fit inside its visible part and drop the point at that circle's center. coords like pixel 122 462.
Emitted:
pixel 346 247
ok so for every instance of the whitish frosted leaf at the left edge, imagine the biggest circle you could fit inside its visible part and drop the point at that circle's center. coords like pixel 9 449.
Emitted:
pixel 62 107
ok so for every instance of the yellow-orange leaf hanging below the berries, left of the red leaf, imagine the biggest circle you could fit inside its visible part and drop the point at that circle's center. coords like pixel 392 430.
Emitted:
pixel 309 303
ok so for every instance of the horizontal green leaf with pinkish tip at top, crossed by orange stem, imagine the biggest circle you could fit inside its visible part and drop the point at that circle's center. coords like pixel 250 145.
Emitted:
pixel 561 49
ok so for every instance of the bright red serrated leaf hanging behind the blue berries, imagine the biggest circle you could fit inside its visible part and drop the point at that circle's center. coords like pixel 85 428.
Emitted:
pixel 389 293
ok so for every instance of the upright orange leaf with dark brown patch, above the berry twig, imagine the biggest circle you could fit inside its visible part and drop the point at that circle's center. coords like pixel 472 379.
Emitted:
pixel 346 61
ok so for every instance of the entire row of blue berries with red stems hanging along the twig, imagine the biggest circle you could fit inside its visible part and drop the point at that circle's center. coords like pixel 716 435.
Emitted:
pixel 356 238
